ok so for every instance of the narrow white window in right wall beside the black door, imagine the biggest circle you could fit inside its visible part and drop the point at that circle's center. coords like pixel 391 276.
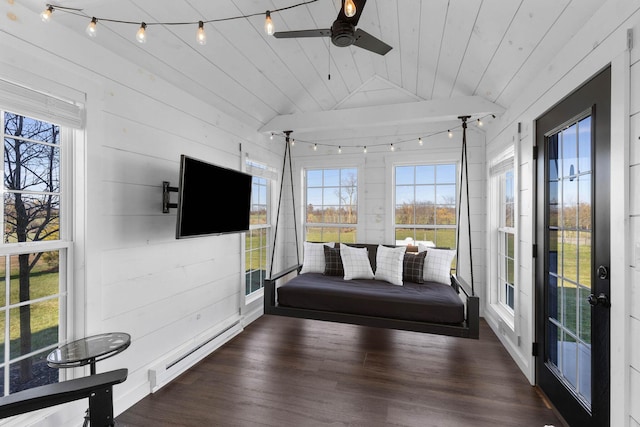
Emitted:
pixel 506 240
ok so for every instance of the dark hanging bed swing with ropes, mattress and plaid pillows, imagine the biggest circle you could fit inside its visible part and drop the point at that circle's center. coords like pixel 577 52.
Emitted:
pixel 321 290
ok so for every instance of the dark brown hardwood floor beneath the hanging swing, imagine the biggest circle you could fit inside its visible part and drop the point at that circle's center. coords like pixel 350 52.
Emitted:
pixel 296 372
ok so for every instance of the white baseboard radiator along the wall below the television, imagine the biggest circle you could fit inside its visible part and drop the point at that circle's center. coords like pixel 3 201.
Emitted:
pixel 191 353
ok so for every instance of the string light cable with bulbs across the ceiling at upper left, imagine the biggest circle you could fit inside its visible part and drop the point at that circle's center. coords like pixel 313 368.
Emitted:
pixel 143 25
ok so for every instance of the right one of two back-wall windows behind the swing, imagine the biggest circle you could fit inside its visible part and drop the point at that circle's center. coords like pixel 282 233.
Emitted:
pixel 425 205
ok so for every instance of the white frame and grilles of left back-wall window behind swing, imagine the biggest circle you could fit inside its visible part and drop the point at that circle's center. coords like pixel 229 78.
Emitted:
pixel 328 225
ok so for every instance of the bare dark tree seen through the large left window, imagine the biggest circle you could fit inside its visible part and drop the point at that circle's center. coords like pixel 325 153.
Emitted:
pixel 31 181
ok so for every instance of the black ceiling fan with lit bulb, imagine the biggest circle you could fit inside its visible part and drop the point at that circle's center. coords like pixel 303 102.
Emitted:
pixel 343 32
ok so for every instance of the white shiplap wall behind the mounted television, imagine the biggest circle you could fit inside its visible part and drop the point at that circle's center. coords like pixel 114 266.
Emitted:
pixel 132 274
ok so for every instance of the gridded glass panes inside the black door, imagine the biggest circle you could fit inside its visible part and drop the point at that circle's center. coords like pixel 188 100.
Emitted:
pixel 569 257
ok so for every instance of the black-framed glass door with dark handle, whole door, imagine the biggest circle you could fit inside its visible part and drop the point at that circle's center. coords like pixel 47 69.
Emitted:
pixel 572 254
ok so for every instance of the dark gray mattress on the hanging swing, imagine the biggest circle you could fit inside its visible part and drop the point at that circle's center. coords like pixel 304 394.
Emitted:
pixel 428 302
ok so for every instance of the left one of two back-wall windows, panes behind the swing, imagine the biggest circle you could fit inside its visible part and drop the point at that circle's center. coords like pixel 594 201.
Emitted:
pixel 331 205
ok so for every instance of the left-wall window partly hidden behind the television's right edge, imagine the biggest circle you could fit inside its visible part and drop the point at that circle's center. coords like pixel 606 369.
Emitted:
pixel 257 247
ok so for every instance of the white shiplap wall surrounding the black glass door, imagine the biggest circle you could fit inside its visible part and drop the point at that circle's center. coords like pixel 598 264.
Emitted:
pixel 601 42
